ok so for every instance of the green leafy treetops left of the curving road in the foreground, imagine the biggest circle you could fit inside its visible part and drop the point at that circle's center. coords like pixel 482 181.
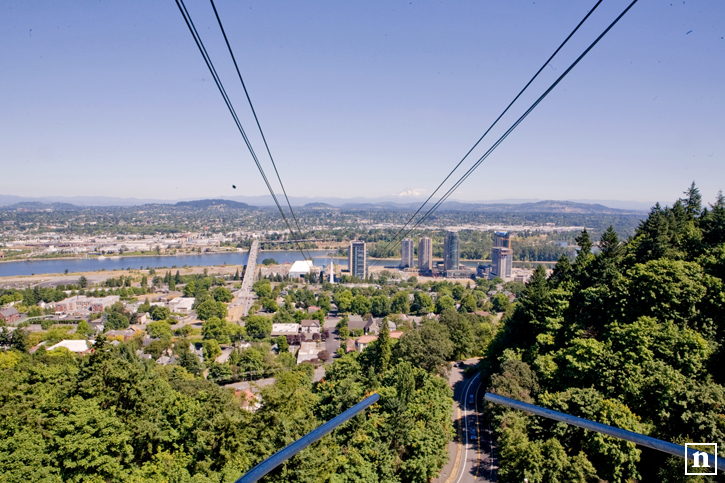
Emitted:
pixel 112 417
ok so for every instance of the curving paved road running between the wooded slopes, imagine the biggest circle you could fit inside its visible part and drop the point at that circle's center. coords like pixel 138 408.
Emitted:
pixel 470 459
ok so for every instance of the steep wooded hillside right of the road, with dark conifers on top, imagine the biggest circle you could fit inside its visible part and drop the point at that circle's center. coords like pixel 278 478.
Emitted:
pixel 631 337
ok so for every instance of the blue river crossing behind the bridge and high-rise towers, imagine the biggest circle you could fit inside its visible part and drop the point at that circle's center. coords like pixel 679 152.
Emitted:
pixel 37 267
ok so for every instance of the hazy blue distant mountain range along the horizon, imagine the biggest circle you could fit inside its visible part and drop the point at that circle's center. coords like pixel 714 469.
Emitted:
pixel 510 206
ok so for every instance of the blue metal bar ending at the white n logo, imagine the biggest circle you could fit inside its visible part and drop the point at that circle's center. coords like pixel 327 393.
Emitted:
pixel 658 444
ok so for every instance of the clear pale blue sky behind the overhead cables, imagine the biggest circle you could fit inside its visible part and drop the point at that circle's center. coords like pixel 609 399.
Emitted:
pixel 361 98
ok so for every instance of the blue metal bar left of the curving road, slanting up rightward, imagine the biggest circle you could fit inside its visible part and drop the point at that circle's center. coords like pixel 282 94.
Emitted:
pixel 287 452
